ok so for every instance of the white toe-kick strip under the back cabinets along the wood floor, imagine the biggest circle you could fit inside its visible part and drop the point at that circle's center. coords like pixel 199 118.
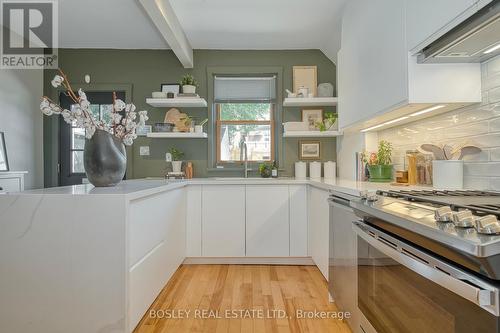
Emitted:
pixel 302 261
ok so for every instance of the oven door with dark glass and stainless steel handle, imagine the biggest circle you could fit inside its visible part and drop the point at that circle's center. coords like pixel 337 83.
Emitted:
pixel 404 288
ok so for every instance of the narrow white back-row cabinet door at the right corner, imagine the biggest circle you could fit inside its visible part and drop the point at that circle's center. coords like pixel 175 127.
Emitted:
pixel 298 220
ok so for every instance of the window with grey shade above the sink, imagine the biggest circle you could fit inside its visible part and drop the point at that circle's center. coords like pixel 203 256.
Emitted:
pixel 244 108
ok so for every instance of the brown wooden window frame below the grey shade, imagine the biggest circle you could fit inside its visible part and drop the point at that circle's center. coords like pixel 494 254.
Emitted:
pixel 219 123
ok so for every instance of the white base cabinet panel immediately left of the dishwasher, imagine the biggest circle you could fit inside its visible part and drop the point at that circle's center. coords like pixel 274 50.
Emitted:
pixel 318 219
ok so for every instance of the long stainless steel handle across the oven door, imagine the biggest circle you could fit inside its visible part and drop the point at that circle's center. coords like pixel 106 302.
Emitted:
pixel 421 264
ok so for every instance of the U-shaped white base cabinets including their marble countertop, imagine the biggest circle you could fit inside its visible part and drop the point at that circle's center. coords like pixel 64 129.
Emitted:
pixel 84 259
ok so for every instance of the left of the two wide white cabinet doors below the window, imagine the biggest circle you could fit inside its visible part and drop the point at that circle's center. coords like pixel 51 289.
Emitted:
pixel 223 221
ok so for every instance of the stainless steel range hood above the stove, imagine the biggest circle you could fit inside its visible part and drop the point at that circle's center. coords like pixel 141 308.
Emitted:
pixel 475 40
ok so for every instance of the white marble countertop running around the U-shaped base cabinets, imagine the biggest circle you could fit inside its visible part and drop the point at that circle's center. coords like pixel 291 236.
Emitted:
pixel 137 188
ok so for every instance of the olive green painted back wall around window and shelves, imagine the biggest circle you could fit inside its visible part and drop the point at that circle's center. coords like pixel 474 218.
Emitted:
pixel 145 70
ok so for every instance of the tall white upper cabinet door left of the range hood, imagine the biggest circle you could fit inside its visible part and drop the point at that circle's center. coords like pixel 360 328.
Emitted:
pixel 373 60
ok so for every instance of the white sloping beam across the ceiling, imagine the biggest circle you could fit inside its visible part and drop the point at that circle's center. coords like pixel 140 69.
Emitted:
pixel 164 18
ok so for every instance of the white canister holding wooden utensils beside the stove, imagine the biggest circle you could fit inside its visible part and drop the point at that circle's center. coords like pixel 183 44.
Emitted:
pixel 448 174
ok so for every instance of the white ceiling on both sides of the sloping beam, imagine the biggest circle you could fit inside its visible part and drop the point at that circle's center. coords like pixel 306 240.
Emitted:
pixel 208 24
